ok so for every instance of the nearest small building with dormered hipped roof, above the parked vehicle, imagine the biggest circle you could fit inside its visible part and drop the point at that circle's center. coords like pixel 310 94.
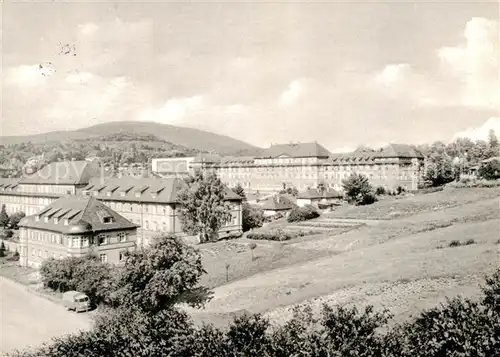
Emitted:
pixel 75 226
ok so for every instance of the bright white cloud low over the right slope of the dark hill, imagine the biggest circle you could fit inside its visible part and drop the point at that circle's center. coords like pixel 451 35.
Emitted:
pixel 174 111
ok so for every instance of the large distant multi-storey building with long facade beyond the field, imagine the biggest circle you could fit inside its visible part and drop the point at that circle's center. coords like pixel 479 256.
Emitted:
pixel 308 165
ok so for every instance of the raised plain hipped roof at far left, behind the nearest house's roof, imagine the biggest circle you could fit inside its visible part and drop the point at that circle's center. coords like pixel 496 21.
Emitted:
pixel 64 173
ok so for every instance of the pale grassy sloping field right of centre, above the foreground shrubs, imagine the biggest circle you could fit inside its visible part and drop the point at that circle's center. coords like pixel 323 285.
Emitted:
pixel 403 264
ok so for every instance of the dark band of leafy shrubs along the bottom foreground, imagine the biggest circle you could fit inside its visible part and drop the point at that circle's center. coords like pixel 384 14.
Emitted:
pixel 457 328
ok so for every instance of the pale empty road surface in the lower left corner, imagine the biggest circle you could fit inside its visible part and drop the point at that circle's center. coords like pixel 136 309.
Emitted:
pixel 29 320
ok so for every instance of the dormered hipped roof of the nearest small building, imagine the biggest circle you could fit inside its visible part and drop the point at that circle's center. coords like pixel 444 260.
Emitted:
pixel 84 215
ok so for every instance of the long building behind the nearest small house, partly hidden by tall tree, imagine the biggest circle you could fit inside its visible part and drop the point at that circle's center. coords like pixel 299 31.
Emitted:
pixel 150 203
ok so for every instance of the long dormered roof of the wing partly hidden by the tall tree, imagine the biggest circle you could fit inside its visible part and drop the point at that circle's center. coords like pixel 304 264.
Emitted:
pixel 159 190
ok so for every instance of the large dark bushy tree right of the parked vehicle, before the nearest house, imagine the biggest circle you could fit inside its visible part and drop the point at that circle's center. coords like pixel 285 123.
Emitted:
pixel 157 278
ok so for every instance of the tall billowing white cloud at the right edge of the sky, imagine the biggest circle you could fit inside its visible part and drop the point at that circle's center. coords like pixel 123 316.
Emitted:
pixel 475 64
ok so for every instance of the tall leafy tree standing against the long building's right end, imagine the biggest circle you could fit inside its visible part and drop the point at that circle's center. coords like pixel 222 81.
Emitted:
pixel 204 209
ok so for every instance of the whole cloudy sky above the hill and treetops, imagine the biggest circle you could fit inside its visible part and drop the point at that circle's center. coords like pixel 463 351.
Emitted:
pixel 341 73
